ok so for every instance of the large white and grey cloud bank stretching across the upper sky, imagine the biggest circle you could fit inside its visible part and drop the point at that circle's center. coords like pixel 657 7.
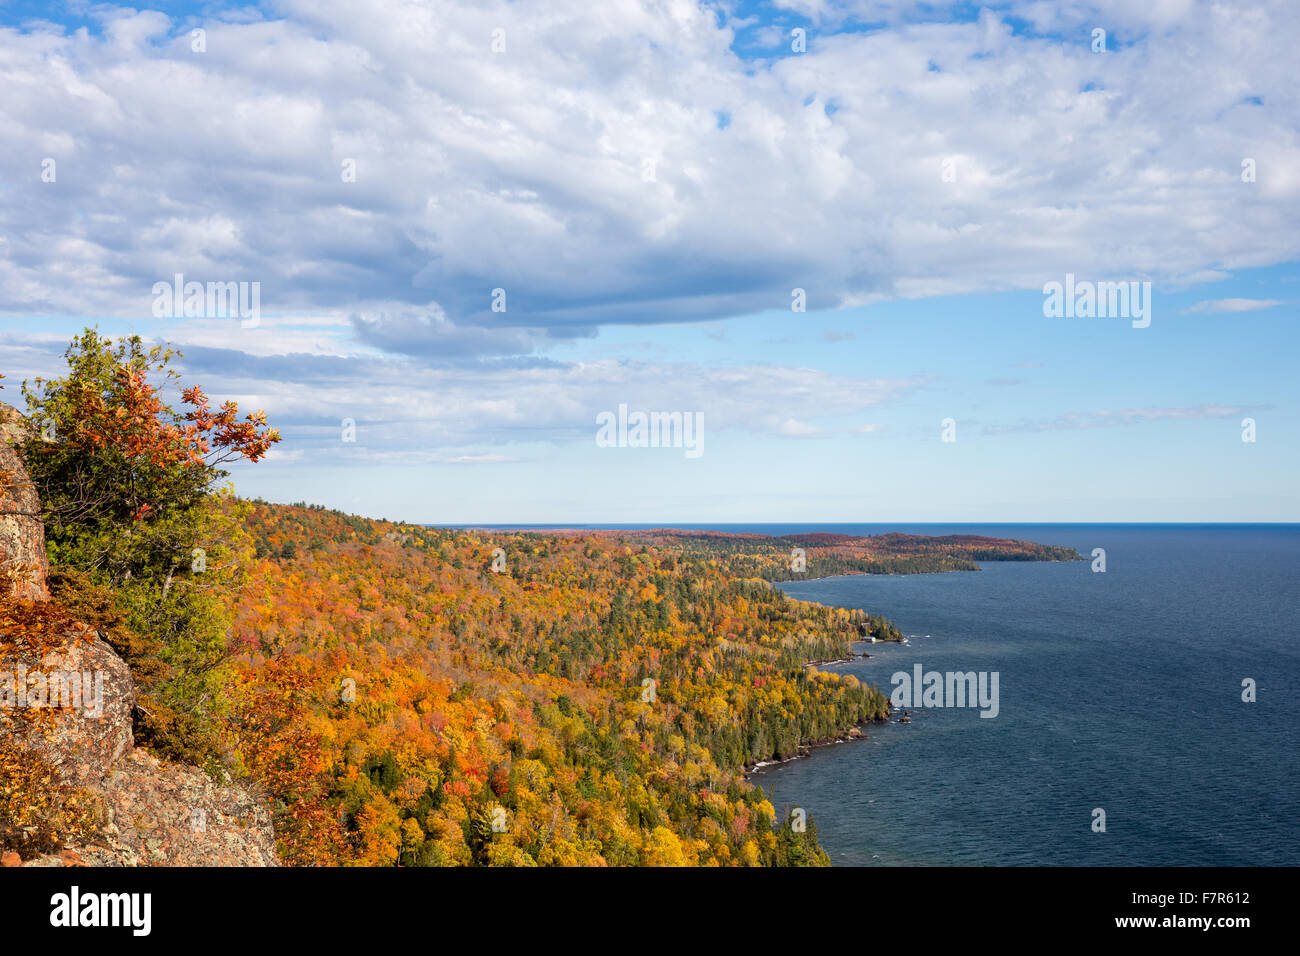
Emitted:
pixel 583 170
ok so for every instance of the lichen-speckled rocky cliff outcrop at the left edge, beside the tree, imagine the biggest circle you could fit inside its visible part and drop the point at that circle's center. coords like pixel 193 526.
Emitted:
pixel 66 712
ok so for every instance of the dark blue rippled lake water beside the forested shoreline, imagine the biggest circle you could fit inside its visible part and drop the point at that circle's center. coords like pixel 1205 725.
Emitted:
pixel 1119 691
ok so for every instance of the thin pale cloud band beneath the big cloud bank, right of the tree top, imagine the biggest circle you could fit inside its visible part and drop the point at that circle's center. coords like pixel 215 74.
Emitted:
pixel 405 410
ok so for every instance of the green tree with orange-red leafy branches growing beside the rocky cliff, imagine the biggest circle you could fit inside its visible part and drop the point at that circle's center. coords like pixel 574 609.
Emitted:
pixel 129 490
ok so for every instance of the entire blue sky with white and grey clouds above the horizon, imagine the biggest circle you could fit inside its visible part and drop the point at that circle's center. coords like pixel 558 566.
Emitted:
pixel 920 172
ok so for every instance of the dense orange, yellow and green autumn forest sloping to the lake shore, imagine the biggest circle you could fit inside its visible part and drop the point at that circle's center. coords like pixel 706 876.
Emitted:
pixel 604 695
